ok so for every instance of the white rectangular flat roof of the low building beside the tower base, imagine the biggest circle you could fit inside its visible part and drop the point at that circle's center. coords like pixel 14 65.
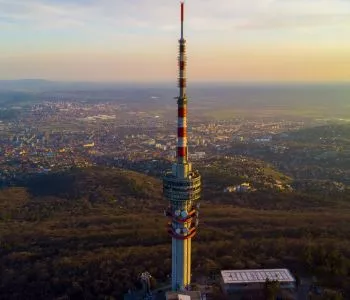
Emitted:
pixel 253 276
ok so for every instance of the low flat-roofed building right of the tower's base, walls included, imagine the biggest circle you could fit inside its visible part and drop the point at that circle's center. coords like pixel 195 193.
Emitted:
pixel 244 284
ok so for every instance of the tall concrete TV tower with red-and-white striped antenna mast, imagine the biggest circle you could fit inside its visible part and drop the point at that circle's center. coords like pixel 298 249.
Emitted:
pixel 182 187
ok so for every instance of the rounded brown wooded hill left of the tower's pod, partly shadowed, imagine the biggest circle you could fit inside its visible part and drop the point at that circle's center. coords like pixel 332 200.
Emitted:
pixel 82 188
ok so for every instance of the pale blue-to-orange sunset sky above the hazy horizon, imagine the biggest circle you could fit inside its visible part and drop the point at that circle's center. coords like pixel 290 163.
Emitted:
pixel 137 40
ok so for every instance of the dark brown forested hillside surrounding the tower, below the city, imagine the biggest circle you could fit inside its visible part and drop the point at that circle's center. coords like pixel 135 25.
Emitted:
pixel 87 234
